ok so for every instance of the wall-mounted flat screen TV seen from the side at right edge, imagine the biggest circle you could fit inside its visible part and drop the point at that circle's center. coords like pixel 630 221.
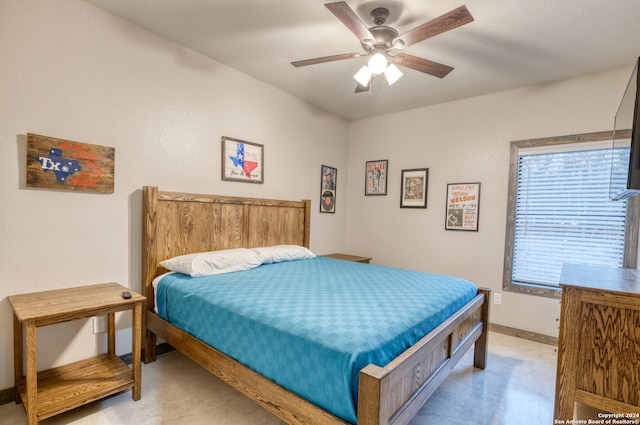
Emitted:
pixel 627 132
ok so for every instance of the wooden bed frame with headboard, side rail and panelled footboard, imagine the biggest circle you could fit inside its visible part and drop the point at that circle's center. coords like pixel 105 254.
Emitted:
pixel 175 224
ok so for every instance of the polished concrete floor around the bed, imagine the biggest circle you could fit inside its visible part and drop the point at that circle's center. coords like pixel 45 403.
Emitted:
pixel 517 388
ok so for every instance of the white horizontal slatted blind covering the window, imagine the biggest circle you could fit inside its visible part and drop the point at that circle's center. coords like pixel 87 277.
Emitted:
pixel 564 213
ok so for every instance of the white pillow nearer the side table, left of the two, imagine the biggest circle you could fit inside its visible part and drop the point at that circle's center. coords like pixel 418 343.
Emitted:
pixel 214 262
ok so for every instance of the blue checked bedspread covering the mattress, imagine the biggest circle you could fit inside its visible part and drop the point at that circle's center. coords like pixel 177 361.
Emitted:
pixel 311 325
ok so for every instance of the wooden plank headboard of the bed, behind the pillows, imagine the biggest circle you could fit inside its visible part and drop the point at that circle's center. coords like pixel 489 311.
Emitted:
pixel 175 223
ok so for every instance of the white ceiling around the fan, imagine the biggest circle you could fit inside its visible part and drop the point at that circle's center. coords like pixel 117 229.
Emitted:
pixel 511 44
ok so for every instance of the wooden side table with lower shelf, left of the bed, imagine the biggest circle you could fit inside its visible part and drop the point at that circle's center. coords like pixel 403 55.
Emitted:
pixel 57 390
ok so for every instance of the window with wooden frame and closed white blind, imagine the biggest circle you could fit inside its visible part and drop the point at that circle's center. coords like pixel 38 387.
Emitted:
pixel 559 211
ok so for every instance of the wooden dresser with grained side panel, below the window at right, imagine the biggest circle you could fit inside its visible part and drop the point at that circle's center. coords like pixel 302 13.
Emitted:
pixel 599 342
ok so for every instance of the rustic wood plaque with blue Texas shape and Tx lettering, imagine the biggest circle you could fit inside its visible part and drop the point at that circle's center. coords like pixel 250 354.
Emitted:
pixel 67 165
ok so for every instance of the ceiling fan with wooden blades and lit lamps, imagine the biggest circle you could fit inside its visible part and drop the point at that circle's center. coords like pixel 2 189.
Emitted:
pixel 380 43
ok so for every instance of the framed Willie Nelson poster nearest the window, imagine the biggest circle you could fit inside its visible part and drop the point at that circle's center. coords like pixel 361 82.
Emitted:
pixel 463 206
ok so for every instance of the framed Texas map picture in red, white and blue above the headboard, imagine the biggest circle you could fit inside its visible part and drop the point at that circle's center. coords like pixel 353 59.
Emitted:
pixel 242 161
